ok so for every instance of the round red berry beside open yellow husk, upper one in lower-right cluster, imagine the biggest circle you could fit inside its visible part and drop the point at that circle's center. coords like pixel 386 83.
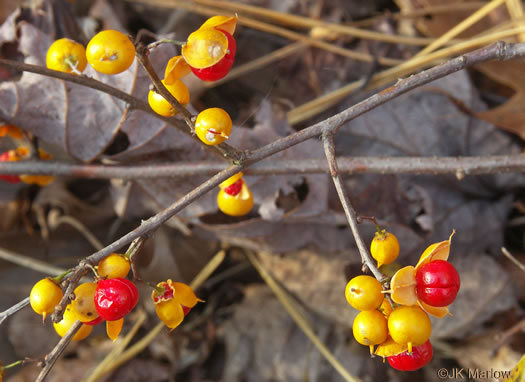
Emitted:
pixel 437 283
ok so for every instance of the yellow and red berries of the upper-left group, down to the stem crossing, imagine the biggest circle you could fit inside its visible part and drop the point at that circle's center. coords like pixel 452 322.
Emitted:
pixel 209 53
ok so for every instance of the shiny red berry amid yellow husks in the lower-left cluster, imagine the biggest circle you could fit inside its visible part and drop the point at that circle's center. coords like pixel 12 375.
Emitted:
pixel 115 298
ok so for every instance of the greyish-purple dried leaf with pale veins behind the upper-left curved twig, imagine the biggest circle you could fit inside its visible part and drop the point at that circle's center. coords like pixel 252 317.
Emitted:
pixel 81 121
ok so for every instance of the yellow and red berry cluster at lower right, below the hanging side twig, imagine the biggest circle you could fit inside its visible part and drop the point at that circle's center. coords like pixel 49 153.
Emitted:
pixel 401 328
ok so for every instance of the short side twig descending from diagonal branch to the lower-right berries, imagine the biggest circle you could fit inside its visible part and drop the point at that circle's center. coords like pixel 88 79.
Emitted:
pixel 366 259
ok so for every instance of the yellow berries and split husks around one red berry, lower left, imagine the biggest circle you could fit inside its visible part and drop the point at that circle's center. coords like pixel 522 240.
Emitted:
pixel 109 299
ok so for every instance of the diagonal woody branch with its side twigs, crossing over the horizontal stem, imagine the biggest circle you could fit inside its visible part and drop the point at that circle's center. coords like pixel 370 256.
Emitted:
pixel 325 128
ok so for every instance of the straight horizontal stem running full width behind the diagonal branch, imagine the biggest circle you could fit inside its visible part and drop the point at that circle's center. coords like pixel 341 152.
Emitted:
pixel 459 166
